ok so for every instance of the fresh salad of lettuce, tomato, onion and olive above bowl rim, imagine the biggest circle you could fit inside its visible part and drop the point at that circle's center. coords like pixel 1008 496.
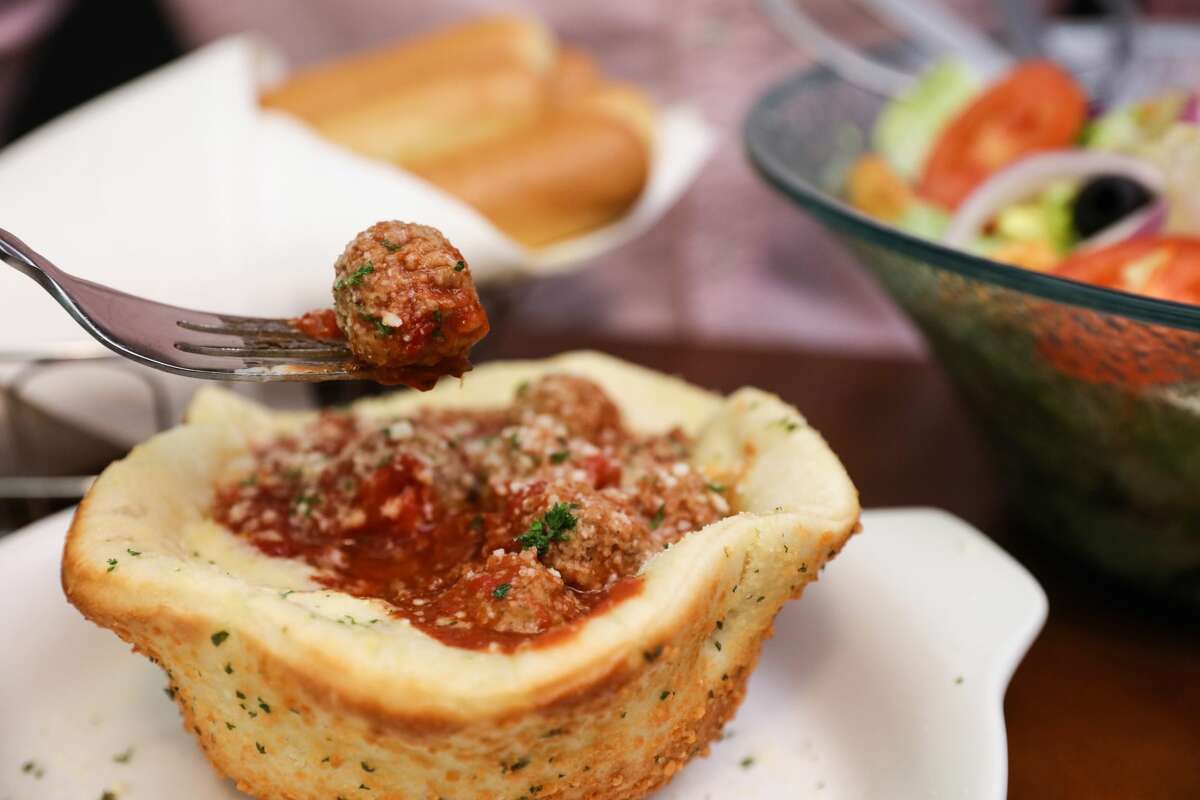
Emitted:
pixel 1025 173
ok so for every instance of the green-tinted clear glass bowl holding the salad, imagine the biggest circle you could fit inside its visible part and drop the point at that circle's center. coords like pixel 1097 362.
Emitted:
pixel 1090 398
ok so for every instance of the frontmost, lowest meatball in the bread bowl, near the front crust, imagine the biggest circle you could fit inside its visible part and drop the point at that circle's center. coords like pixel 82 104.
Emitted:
pixel 513 593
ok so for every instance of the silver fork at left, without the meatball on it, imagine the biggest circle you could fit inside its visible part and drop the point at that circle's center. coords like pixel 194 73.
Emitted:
pixel 182 341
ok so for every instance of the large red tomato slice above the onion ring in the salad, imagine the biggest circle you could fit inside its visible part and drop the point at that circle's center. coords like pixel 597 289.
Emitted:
pixel 1036 107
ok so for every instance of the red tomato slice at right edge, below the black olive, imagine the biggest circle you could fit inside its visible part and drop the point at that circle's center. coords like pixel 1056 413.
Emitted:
pixel 1167 268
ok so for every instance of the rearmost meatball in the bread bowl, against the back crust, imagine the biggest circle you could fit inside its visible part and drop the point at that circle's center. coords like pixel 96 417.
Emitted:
pixel 580 405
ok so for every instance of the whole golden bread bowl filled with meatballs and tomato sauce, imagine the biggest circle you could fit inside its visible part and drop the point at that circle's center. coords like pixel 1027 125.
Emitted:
pixel 581 625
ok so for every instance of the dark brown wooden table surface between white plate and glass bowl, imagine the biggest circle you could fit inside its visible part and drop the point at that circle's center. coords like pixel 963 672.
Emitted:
pixel 1107 705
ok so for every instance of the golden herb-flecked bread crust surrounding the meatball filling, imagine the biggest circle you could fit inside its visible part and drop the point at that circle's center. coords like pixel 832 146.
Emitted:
pixel 295 693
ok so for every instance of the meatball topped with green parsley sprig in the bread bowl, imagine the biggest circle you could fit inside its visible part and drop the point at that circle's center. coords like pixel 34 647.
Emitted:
pixel 592 538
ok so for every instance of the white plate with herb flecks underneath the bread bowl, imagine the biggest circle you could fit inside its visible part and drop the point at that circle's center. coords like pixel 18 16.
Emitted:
pixel 886 681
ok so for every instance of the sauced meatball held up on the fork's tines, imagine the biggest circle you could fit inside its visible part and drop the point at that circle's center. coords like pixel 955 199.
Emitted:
pixel 405 299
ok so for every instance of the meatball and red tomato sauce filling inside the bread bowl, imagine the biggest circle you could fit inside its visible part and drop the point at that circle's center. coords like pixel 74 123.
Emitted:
pixel 485 530
